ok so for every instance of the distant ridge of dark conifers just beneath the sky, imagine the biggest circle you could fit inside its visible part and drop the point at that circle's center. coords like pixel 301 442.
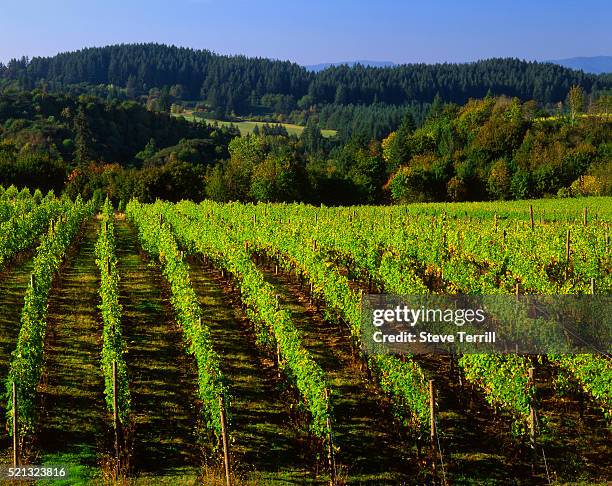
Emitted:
pixel 240 85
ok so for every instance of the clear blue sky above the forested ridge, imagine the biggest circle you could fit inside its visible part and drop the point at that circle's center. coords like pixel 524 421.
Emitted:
pixel 313 31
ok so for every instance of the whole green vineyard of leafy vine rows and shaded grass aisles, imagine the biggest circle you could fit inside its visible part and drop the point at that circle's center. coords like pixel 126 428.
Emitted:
pixel 222 343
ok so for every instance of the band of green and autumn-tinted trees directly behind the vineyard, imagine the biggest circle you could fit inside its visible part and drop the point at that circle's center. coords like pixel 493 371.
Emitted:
pixel 490 148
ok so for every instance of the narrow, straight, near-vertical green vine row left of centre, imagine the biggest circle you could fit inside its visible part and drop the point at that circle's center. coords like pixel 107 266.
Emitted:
pixel 113 345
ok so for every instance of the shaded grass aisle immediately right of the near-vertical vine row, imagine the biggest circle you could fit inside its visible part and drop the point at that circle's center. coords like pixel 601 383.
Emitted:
pixel 162 377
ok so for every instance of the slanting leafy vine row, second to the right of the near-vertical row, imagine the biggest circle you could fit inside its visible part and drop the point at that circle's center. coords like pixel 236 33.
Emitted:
pixel 274 325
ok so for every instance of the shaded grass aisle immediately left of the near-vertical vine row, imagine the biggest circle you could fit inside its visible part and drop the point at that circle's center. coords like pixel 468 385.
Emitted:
pixel 73 414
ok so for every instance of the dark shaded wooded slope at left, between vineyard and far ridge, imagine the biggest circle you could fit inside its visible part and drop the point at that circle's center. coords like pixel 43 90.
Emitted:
pixel 59 142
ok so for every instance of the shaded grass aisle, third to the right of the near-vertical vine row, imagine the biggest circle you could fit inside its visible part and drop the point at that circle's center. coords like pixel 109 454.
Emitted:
pixel 371 449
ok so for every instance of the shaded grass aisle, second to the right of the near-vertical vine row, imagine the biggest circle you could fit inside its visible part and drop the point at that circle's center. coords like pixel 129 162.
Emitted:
pixel 264 438
